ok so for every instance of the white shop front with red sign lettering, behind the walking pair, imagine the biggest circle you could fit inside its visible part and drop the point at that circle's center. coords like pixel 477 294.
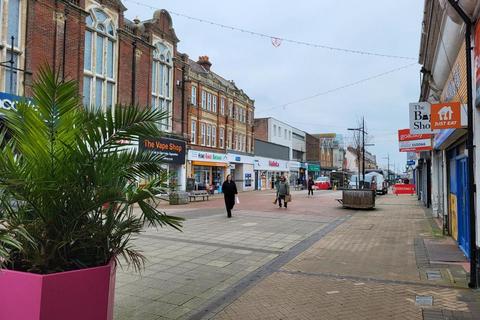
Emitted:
pixel 268 170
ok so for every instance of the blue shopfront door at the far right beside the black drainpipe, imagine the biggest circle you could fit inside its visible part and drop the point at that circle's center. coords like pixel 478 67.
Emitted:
pixel 463 206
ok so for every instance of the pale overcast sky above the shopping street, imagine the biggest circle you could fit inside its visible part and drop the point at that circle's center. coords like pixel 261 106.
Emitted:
pixel 273 76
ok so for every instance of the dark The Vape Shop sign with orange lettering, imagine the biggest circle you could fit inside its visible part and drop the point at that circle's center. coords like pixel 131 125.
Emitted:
pixel 173 150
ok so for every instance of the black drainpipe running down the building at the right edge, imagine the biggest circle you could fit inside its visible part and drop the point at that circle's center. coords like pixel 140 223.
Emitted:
pixel 470 147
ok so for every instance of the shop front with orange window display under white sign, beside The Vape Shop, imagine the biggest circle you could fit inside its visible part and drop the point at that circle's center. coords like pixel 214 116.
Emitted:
pixel 208 169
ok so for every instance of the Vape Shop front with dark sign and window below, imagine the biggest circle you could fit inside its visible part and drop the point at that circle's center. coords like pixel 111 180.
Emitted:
pixel 173 152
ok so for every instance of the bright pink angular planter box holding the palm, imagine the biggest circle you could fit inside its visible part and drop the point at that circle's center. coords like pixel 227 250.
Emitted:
pixel 73 295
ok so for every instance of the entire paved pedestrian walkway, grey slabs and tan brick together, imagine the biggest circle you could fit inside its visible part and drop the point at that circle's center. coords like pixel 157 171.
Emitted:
pixel 311 261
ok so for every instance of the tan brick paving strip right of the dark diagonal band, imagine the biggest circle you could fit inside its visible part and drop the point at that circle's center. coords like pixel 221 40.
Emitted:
pixel 365 269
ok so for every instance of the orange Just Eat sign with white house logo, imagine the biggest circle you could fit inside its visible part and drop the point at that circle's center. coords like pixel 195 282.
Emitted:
pixel 446 115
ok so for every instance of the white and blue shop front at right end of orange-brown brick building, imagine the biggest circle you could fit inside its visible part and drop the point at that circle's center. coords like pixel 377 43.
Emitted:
pixel 241 169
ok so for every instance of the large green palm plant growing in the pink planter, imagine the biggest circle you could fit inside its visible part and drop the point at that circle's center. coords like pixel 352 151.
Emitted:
pixel 69 181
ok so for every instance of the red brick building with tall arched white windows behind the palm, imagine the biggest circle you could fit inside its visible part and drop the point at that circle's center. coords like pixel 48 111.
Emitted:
pixel 114 60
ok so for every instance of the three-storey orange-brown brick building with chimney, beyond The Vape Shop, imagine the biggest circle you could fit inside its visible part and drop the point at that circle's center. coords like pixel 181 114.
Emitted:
pixel 220 127
